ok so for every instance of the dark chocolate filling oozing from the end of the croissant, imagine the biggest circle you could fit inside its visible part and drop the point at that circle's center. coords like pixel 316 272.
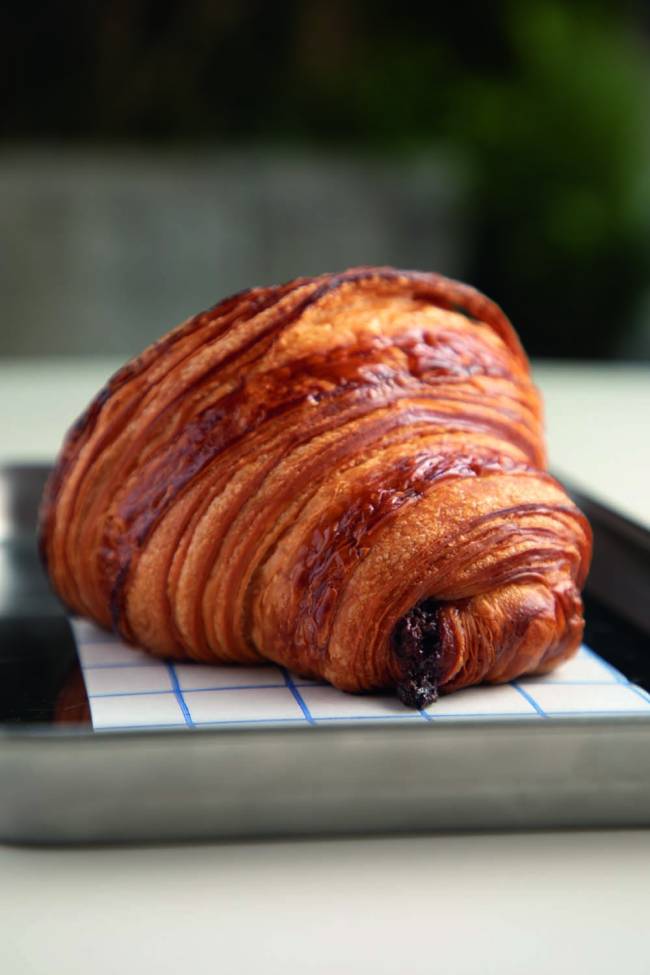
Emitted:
pixel 416 644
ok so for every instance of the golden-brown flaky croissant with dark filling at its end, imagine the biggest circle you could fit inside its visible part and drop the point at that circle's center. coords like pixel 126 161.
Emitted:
pixel 344 474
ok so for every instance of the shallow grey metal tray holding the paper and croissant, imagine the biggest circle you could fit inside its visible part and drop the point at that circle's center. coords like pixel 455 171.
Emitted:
pixel 61 782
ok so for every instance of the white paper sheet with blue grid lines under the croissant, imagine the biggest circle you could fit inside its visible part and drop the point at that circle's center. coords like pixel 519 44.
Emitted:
pixel 130 690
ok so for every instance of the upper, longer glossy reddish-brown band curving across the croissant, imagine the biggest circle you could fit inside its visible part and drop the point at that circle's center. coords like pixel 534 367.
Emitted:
pixel 366 377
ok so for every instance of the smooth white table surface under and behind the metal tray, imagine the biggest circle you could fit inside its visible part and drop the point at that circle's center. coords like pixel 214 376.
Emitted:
pixel 536 902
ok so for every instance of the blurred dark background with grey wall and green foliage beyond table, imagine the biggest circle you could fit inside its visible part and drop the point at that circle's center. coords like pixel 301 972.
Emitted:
pixel 156 155
